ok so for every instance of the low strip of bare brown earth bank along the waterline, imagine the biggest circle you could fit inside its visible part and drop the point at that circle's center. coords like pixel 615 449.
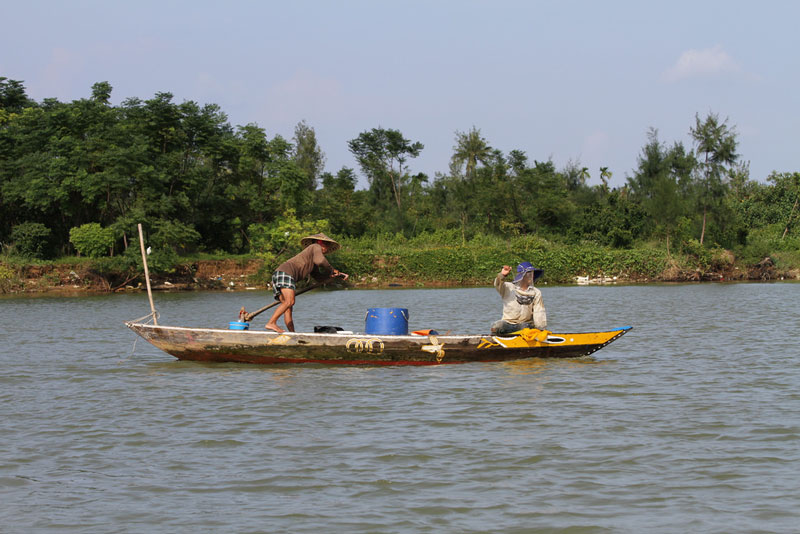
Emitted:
pixel 383 272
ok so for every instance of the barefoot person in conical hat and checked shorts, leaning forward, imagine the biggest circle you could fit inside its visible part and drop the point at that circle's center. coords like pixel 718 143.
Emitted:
pixel 311 261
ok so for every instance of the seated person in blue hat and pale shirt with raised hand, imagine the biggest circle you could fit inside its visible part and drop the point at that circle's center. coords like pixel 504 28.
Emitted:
pixel 522 303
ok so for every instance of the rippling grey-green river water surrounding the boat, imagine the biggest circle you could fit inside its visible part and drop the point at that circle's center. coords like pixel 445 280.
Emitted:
pixel 689 423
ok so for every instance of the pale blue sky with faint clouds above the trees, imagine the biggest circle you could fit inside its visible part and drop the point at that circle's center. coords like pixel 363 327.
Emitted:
pixel 574 82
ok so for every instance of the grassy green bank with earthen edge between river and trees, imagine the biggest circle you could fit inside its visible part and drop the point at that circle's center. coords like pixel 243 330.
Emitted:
pixel 428 261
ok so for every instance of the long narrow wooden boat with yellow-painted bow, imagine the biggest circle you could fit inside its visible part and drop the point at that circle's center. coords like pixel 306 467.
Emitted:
pixel 265 347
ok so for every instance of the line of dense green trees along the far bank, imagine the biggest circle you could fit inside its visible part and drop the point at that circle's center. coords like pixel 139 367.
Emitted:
pixel 81 173
